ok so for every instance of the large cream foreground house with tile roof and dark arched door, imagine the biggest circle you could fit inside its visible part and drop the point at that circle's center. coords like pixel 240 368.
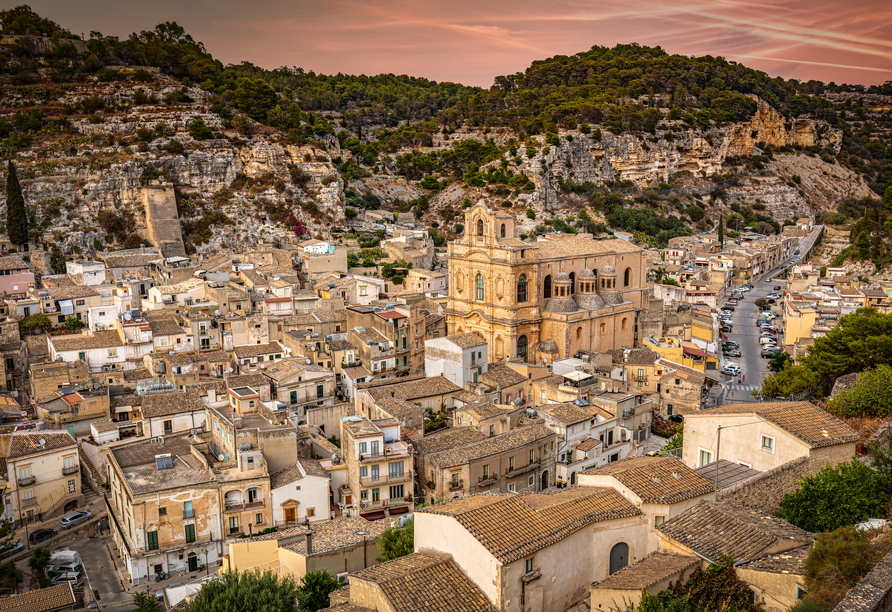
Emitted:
pixel 539 551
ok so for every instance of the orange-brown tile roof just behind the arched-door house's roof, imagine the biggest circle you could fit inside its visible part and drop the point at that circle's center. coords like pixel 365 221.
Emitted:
pixel 657 480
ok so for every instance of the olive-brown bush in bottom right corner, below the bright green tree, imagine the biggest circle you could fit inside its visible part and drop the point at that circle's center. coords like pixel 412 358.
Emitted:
pixel 836 563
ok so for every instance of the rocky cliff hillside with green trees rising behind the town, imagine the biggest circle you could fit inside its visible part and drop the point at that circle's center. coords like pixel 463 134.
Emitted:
pixel 252 154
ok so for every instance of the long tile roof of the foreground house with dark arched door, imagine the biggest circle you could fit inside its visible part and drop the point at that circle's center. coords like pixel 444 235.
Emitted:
pixel 514 526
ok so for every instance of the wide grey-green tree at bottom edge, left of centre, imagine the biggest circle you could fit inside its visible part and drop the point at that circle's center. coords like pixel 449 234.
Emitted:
pixel 248 591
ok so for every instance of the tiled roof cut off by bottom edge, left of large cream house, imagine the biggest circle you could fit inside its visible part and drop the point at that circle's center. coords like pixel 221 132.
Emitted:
pixel 422 582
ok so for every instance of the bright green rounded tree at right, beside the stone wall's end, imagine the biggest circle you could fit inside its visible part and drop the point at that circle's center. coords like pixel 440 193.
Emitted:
pixel 837 496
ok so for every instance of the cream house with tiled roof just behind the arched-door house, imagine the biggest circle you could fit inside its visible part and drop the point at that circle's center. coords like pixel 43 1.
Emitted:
pixel 661 487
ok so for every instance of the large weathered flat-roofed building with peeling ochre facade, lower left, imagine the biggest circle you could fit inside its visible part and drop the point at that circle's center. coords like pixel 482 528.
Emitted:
pixel 174 505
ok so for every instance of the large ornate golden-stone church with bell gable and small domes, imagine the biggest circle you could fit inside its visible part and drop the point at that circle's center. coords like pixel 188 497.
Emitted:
pixel 537 302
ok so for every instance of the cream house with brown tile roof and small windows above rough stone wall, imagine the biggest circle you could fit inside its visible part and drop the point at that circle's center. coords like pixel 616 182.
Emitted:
pixel 767 435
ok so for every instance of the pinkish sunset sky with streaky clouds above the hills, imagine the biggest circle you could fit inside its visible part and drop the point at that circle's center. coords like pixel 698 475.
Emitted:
pixel 473 41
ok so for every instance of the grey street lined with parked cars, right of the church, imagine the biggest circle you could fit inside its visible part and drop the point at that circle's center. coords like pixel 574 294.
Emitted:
pixel 746 332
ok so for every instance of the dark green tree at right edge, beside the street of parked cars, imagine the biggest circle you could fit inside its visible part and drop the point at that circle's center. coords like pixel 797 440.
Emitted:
pixel 861 341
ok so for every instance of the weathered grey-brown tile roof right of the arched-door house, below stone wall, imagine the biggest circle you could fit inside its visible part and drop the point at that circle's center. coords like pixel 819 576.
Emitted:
pixel 723 528
